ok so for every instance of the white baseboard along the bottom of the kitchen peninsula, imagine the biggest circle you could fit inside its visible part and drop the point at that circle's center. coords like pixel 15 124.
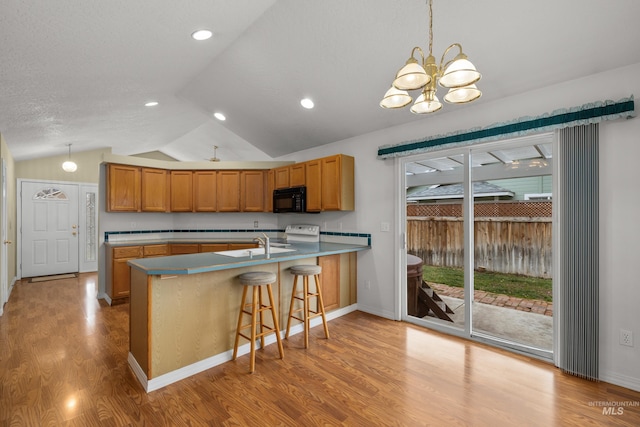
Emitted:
pixel 218 359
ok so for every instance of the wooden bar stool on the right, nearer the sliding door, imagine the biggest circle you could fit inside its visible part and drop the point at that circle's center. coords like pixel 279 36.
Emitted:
pixel 306 313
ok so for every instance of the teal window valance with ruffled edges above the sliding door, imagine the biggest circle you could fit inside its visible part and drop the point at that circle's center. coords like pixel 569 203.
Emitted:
pixel 595 112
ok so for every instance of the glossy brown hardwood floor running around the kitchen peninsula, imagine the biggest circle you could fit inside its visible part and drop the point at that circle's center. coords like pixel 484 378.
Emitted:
pixel 63 361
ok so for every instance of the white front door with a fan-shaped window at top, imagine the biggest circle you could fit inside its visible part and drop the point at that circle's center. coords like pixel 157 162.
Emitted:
pixel 49 228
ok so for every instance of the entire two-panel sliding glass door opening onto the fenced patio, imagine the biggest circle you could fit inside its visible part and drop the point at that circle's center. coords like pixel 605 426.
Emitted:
pixel 494 203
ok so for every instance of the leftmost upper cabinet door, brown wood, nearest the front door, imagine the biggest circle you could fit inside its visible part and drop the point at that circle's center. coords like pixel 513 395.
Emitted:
pixel 124 188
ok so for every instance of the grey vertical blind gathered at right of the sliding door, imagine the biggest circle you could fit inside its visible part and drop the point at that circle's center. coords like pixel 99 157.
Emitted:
pixel 578 281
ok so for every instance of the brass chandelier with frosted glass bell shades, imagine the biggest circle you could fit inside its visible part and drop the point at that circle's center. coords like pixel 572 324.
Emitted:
pixel 458 75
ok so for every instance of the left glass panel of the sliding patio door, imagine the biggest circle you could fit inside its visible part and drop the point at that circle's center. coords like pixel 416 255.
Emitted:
pixel 435 252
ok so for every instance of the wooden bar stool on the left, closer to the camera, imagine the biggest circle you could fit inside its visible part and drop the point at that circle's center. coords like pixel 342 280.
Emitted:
pixel 255 280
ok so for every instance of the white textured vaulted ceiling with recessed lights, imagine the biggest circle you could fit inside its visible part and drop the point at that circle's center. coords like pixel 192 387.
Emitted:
pixel 79 72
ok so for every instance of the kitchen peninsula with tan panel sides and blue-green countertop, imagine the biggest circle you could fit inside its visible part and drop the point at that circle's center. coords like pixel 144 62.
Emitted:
pixel 184 308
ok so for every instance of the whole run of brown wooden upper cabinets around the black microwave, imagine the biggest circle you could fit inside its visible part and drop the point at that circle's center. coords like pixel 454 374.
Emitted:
pixel 329 181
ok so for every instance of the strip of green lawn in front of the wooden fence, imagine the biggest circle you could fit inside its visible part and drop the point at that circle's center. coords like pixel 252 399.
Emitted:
pixel 497 283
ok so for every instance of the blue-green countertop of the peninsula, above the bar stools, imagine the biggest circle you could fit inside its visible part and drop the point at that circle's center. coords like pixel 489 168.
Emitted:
pixel 212 261
